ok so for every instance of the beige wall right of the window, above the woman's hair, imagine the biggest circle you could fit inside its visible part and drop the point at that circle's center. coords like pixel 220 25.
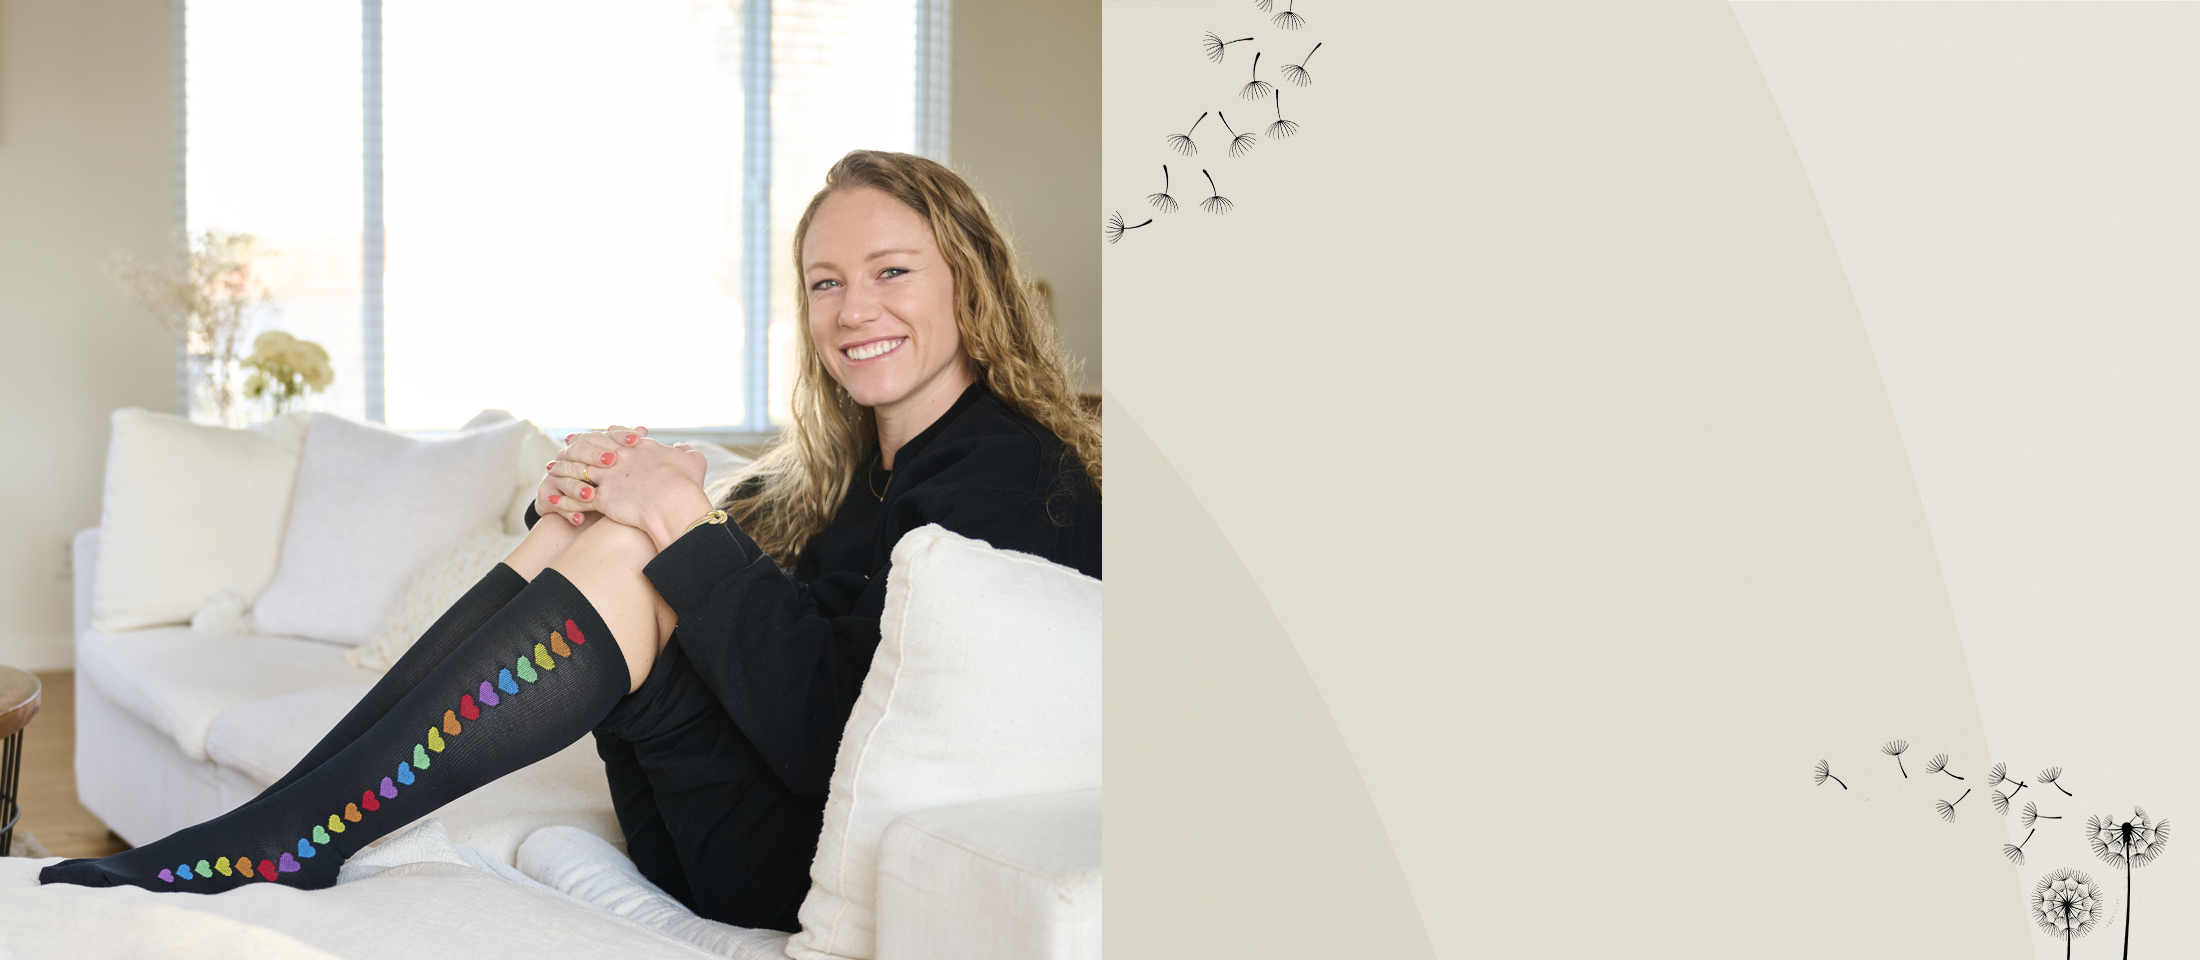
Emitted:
pixel 1024 127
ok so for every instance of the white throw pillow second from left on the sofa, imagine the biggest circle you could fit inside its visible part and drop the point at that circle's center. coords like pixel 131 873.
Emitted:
pixel 371 510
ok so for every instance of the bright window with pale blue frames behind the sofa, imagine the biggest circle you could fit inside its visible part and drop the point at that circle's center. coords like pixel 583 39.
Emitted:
pixel 586 208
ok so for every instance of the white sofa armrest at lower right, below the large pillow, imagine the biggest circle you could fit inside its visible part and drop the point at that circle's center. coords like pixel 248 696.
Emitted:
pixel 995 880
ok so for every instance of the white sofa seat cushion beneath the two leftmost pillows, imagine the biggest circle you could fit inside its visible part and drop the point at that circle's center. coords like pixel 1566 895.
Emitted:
pixel 179 681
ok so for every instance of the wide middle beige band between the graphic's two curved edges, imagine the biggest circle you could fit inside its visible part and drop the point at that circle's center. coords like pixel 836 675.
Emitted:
pixel 1528 389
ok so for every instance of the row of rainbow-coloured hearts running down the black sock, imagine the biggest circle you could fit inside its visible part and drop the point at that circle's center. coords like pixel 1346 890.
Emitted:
pixel 470 706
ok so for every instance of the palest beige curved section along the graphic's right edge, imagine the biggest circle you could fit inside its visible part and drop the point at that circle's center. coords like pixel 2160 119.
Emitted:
pixel 2012 195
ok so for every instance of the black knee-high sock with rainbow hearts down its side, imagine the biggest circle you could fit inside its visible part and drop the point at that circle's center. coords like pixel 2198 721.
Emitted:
pixel 538 677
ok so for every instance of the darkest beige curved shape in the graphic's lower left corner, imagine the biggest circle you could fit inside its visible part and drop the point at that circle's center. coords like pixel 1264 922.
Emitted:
pixel 1248 816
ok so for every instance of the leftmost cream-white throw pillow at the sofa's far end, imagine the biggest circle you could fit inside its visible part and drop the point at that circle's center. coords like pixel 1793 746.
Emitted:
pixel 190 514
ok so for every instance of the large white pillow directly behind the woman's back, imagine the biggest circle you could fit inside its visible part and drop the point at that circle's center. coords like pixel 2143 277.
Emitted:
pixel 987 684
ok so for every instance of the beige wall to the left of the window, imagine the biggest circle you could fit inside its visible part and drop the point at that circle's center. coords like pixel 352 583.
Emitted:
pixel 87 168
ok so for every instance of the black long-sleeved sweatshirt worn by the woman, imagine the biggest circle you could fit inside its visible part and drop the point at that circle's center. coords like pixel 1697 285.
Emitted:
pixel 786 655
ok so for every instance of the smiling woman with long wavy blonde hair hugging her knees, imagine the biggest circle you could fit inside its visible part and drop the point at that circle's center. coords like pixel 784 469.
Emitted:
pixel 714 681
